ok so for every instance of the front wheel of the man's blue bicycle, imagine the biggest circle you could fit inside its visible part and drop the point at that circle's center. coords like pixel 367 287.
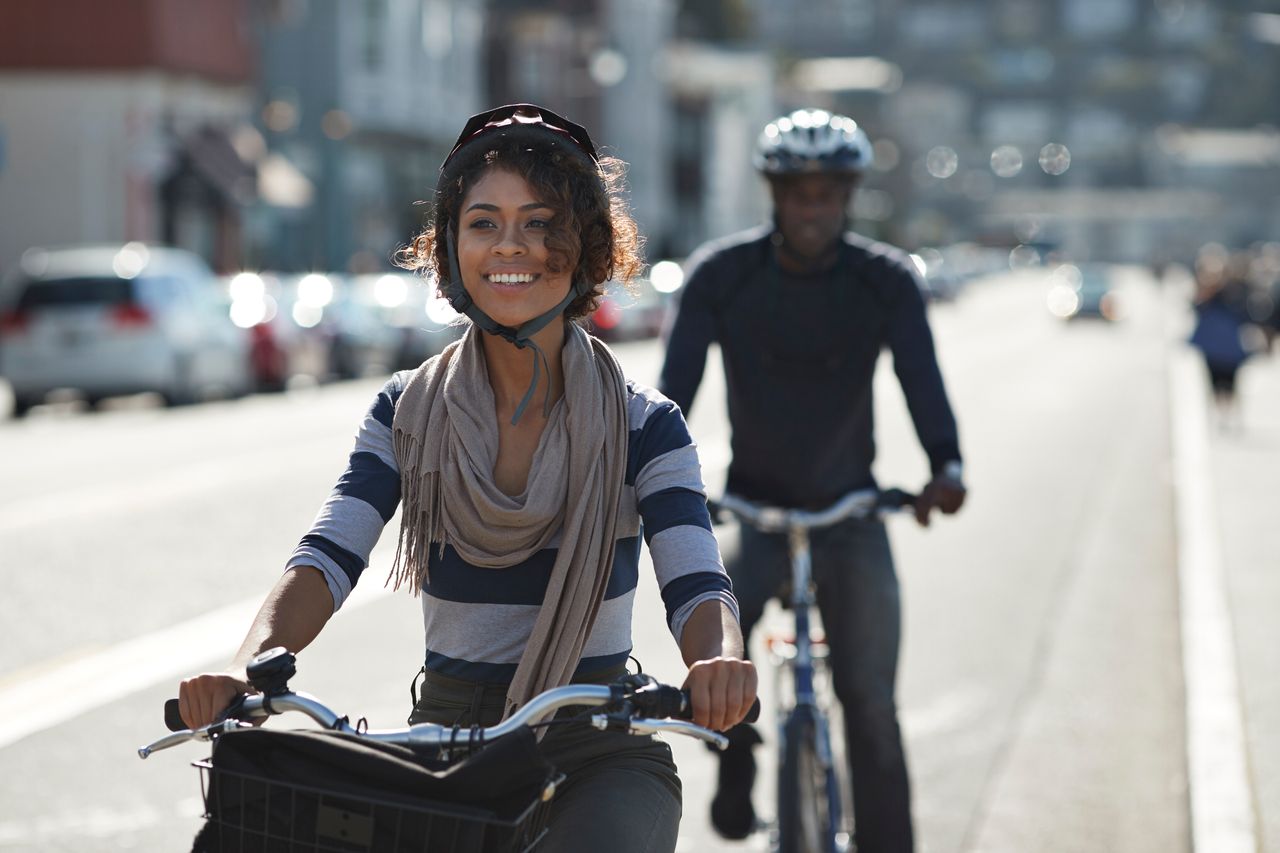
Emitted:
pixel 806 792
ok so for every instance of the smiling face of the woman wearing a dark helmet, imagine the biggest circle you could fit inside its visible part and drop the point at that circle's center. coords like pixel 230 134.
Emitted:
pixel 502 250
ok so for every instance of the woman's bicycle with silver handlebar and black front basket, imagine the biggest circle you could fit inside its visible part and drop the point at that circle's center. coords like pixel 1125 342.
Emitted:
pixel 346 788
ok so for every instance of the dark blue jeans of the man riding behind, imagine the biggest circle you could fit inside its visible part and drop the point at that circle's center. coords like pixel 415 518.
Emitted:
pixel 858 597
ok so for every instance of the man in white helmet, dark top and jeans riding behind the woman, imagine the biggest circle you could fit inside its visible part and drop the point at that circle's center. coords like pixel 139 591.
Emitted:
pixel 802 309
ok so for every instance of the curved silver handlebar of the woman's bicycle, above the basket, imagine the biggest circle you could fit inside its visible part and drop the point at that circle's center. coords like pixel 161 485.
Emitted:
pixel 642 711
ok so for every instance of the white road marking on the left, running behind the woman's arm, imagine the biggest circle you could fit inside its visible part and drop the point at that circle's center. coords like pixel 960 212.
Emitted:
pixel 74 688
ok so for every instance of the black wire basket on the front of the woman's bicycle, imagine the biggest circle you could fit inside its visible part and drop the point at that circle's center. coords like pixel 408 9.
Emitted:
pixel 252 814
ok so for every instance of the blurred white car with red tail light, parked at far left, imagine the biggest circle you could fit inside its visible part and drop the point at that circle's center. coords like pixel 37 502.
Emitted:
pixel 108 321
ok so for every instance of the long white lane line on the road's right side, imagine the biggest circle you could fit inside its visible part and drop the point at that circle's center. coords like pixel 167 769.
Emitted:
pixel 1222 802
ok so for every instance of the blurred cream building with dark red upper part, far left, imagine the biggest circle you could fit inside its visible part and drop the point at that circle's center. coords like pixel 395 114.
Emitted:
pixel 122 121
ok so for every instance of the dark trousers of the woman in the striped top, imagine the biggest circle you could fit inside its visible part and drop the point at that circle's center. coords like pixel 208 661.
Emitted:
pixel 621 793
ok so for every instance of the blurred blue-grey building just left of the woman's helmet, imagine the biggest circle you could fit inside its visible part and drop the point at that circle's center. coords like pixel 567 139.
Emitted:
pixel 367 99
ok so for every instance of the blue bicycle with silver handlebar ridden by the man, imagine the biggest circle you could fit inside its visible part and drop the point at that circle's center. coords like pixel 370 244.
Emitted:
pixel 811 804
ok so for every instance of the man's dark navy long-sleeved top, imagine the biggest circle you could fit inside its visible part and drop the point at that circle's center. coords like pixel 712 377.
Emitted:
pixel 799 357
